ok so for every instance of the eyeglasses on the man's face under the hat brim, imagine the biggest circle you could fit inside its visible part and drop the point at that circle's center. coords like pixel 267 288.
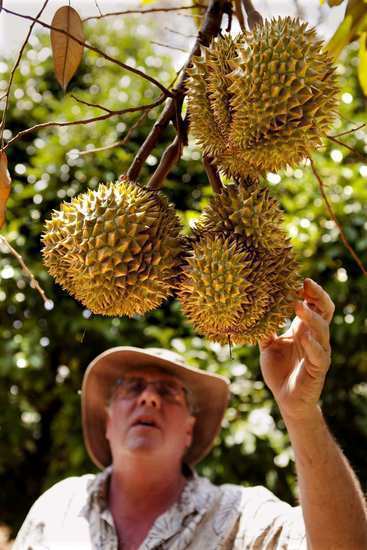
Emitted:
pixel 131 387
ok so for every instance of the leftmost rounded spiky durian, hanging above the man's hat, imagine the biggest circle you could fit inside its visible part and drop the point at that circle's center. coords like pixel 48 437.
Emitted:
pixel 116 249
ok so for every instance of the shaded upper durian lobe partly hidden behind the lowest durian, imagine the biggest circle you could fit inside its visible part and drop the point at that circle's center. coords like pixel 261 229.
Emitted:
pixel 245 209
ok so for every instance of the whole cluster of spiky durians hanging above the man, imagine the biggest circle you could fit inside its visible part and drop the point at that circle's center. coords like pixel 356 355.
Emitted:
pixel 257 103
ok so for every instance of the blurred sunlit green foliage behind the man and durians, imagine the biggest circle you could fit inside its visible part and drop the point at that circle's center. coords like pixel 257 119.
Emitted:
pixel 44 352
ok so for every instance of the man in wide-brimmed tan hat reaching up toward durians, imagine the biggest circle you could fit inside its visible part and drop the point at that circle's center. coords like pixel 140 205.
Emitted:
pixel 148 419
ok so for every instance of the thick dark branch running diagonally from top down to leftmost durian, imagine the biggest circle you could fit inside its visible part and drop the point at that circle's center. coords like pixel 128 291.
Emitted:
pixel 210 28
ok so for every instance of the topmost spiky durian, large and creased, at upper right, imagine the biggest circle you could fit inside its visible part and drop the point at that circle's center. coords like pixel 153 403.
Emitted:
pixel 263 100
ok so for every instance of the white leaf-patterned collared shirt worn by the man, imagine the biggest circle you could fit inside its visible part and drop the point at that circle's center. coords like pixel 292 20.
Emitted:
pixel 74 515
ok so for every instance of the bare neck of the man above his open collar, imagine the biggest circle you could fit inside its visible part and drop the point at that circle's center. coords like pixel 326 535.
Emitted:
pixel 140 492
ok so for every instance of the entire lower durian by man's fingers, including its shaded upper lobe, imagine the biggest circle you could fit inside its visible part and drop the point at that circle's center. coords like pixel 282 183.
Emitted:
pixel 239 285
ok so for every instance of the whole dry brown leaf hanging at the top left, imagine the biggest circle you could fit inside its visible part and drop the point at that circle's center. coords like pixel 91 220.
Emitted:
pixel 67 54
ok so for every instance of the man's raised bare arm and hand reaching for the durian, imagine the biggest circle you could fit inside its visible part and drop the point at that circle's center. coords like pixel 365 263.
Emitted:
pixel 294 367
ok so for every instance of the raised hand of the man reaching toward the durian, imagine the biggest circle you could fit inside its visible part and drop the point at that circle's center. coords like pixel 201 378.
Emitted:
pixel 294 365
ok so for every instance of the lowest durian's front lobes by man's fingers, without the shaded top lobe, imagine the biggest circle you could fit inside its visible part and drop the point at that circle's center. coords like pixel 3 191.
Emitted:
pixel 231 293
